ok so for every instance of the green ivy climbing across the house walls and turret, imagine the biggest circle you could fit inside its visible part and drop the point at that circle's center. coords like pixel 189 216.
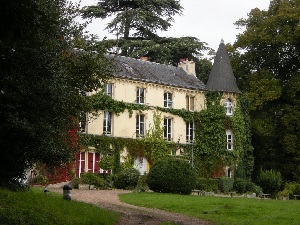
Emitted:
pixel 208 154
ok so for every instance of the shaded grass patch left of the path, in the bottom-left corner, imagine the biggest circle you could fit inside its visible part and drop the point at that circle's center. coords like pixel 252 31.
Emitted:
pixel 34 207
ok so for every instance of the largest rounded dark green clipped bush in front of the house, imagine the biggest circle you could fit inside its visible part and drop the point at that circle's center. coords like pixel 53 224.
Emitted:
pixel 170 175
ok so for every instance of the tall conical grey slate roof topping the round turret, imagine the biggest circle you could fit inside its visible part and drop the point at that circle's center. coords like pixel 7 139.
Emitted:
pixel 221 77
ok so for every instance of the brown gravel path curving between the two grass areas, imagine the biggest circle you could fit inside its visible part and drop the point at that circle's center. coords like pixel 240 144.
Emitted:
pixel 132 215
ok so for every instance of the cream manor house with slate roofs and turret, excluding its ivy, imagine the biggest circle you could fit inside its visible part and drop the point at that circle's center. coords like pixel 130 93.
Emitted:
pixel 140 81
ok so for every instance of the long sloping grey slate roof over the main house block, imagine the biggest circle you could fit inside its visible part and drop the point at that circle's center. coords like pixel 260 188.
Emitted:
pixel 136 69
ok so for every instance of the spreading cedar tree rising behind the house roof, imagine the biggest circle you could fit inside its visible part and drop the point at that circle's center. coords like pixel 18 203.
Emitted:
pixel 138 22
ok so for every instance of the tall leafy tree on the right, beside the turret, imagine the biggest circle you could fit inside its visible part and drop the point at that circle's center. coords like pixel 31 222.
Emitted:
pixel 269 68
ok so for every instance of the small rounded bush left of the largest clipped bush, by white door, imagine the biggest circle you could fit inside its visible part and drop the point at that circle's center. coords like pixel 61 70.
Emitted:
pixel 127 179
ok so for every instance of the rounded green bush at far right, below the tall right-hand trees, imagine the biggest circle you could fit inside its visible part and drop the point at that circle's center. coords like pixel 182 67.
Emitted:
pixel 270 181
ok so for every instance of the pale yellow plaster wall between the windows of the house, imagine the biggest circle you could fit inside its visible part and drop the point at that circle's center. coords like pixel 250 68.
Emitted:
pixel 123 125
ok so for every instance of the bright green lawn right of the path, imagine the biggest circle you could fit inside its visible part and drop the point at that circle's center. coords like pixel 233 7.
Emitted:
pixel 220 210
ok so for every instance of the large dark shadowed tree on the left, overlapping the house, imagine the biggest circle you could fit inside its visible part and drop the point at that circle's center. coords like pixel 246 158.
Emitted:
pixel 41 81
